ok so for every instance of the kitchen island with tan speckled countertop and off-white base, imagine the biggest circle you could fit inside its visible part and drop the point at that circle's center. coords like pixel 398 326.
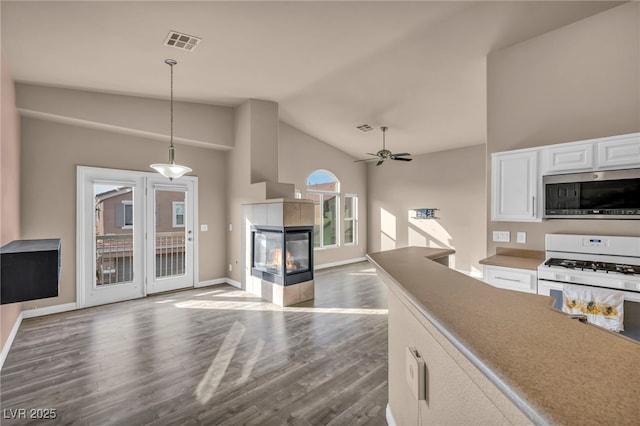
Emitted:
pixel 496 356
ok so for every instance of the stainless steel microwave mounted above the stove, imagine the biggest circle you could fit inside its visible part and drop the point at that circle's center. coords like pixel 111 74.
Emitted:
pixel 613 194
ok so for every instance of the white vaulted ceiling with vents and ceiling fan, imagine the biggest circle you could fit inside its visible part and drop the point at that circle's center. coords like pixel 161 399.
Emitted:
pixel 418 67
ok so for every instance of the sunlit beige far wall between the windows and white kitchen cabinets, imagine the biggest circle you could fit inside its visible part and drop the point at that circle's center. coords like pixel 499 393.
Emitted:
pixel 452 181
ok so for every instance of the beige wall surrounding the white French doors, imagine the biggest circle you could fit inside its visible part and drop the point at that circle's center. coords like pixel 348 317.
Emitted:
pixel 50 153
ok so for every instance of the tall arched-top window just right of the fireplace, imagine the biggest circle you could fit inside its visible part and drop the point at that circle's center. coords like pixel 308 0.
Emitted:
pixel 323 187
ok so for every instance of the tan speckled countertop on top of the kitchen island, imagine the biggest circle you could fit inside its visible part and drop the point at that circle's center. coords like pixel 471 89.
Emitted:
pixel 556 369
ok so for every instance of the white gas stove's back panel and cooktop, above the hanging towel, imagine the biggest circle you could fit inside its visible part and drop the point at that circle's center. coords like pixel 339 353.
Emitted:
pixel 599 261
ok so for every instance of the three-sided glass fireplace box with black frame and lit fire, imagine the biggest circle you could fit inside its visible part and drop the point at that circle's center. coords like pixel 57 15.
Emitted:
pixel 282 255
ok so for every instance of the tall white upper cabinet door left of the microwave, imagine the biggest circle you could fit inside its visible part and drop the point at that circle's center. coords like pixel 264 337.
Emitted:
pixel 514 177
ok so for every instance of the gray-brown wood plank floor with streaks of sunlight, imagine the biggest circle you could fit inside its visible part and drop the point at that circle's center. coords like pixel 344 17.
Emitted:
pixel 214 355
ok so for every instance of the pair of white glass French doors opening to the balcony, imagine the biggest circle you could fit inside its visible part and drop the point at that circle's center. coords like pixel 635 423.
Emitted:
pixel 134 234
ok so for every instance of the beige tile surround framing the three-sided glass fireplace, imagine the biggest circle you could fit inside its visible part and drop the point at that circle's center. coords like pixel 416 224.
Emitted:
pixel 282 214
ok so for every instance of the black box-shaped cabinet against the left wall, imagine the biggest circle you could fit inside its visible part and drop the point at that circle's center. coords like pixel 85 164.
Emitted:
pixel 29 270
